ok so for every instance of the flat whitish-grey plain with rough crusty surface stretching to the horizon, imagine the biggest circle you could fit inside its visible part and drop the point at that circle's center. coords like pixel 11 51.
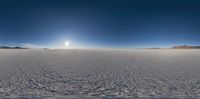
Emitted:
pixel 100 73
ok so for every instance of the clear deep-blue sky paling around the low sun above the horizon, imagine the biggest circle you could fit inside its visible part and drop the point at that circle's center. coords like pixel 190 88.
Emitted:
pixel 99 23
